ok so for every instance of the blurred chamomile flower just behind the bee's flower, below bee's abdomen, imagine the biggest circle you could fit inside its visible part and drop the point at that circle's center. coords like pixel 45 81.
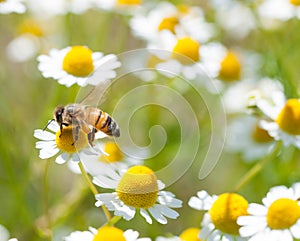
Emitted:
pixel 111 159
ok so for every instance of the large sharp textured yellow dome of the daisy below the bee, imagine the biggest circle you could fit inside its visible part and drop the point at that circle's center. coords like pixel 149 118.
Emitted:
pixel 138 187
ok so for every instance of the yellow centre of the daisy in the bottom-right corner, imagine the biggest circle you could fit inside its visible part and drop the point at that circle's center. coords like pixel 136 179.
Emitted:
pixel 283 213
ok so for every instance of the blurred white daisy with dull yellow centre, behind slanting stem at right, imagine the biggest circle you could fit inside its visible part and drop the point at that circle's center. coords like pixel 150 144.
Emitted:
pixel 245 136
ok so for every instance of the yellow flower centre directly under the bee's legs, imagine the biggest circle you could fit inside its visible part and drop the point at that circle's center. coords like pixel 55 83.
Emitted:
pixel 65 140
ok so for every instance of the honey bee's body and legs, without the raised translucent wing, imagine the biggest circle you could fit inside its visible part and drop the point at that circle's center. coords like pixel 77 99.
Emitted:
pixel 88 119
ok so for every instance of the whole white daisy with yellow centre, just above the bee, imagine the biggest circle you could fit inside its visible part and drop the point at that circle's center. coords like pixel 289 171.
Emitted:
pixel 76 64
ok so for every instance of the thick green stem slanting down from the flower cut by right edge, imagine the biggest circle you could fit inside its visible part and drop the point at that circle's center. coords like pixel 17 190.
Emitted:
pixel 256 168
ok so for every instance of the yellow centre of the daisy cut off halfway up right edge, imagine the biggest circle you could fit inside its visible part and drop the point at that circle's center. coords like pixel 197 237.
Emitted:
pixel 289 117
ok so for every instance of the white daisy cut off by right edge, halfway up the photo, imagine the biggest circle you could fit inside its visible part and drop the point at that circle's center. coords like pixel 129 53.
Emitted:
pixel 283 118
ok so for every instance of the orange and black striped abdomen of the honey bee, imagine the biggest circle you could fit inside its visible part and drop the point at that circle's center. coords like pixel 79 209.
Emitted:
pixel 102 121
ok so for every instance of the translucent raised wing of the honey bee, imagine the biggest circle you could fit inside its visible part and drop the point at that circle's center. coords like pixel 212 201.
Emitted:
pixel 95 95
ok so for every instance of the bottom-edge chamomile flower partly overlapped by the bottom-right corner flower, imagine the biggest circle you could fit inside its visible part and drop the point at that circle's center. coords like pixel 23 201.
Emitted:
pixel 220 220
